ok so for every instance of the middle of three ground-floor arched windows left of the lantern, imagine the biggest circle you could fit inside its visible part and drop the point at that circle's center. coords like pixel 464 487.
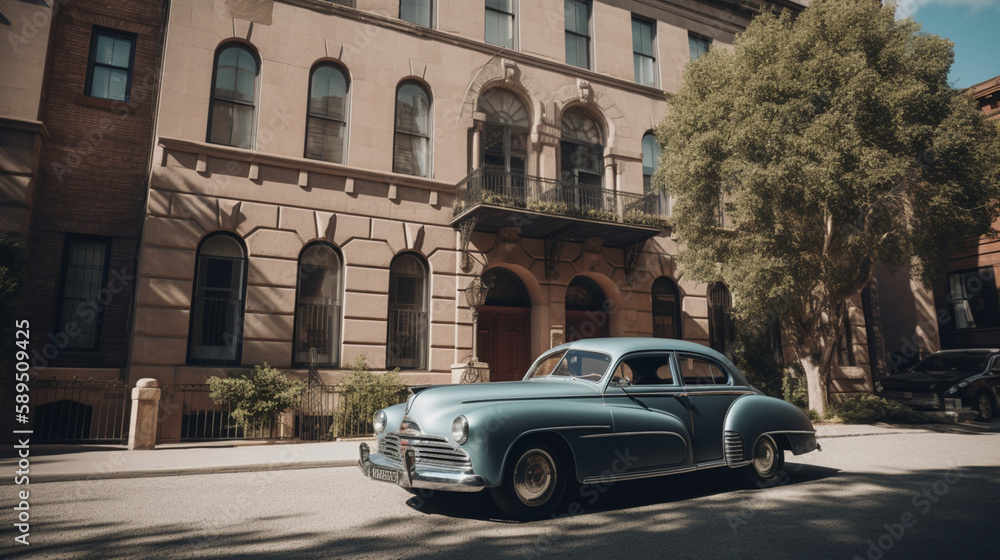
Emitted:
pixel 317 311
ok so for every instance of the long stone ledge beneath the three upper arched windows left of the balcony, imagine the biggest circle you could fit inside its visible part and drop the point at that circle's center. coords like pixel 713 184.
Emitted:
pixel 303 165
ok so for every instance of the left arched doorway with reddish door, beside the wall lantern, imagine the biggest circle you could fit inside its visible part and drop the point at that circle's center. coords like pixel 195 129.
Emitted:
pixel 504 332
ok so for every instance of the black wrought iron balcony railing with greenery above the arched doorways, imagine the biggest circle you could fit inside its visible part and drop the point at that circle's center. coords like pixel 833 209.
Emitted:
pixel 497 187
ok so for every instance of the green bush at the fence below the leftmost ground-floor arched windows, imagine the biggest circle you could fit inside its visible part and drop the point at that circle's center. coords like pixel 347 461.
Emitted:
pixel 256 398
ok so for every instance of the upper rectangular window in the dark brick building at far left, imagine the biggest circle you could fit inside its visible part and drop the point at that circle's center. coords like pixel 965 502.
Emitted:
pixel 109 72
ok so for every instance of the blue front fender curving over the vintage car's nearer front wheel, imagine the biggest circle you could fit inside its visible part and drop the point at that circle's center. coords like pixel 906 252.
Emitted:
pixel 495 429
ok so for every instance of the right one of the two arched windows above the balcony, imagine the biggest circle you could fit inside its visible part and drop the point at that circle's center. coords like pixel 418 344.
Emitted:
pixel 581 149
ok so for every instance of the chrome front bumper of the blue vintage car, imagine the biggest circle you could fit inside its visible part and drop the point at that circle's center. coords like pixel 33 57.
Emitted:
pixel 413 475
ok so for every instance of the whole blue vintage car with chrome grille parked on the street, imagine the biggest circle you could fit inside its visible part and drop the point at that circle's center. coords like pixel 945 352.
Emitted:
pixel 593 411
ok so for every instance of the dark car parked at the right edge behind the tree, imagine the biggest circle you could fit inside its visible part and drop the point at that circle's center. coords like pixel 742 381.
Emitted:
pixel 950 380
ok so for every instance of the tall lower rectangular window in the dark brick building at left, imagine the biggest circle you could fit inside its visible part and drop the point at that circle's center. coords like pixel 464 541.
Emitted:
pixel 84 273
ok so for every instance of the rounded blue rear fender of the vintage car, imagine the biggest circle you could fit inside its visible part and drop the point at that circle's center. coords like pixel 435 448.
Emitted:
pixel 751 416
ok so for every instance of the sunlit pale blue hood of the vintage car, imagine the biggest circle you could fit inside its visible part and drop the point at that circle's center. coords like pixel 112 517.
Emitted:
pixel 433 409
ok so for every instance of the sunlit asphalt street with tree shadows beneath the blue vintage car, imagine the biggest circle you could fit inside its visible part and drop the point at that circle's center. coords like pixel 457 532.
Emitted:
pixel 906 496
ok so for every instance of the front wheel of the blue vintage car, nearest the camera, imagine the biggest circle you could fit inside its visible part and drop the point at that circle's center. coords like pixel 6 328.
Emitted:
pixel 534 481
